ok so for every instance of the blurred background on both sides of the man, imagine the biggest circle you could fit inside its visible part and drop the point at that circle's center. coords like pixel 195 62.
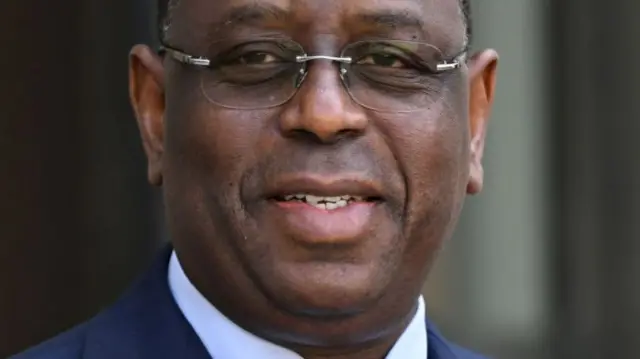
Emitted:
pixel 544 264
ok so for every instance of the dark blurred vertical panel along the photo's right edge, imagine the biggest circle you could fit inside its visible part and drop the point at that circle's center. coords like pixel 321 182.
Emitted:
pixel 597 166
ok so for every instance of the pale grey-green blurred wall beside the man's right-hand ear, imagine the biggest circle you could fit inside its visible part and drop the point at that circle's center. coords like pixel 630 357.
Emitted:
pixel 491 288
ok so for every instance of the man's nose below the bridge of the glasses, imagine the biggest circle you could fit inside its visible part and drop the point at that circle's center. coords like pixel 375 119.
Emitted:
pixel 322 109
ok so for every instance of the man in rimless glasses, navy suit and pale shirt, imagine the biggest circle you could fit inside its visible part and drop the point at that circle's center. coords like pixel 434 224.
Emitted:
pixel 314 156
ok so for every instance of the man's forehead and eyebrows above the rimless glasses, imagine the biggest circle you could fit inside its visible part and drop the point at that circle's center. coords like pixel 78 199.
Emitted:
pixel 430 20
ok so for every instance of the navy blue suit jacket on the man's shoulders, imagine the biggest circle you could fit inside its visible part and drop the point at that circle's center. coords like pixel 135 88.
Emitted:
pixel 146 323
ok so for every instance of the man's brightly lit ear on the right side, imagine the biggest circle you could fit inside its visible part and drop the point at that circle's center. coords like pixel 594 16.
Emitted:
pixel 482 81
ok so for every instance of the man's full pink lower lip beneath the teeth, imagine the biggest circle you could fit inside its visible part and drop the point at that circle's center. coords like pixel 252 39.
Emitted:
pixel 320 226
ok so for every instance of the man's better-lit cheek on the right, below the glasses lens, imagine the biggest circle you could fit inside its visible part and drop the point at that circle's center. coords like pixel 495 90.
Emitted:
pixel 431 149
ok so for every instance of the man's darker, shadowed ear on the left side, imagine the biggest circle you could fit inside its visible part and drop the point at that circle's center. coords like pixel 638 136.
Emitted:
pixel 146 92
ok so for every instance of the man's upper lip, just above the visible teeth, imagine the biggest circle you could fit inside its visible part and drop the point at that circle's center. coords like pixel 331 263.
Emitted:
pixel 325 186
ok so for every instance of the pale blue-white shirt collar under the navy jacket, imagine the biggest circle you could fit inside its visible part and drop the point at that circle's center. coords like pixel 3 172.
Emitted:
pixel 224 339
